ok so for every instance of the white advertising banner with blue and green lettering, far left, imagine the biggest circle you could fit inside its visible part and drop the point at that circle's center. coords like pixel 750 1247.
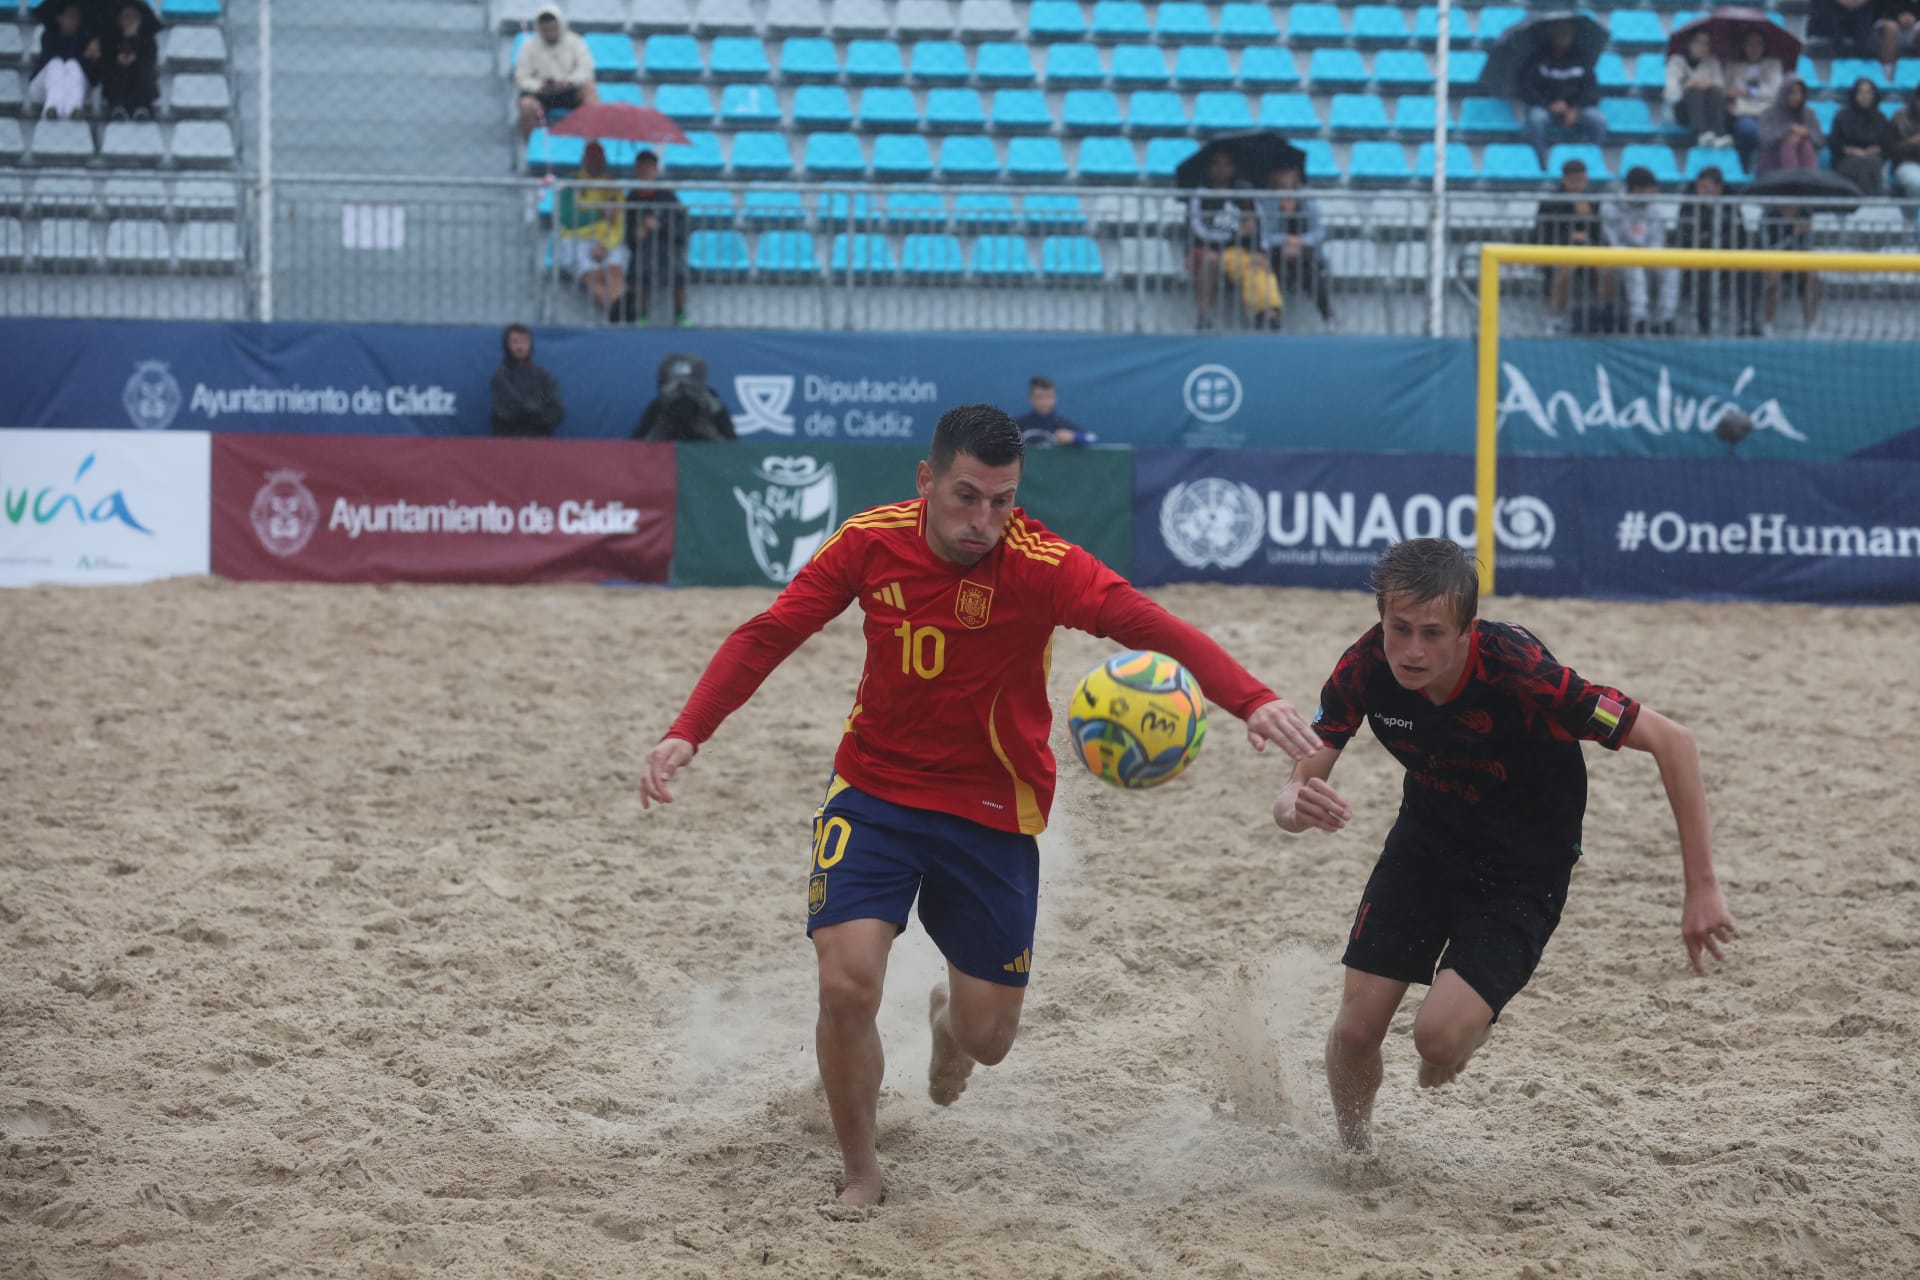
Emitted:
pixel 103 508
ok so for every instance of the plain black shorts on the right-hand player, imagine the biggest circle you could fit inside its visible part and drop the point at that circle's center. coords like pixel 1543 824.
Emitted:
pixel 1429 909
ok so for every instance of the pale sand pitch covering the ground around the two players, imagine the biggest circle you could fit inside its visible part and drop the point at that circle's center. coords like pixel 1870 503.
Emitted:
pixel 335 943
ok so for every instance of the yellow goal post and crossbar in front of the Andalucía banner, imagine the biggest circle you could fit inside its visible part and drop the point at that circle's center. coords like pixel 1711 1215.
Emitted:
pixel 1497 256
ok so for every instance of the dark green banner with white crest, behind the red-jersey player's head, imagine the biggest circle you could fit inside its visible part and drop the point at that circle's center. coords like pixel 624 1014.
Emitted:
pixel 750 515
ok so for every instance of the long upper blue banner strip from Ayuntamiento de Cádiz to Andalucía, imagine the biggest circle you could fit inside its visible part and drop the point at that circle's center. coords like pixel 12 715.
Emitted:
pixel 1558 398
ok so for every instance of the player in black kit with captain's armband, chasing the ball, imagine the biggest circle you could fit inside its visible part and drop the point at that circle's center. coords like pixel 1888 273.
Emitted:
pixel 1476 870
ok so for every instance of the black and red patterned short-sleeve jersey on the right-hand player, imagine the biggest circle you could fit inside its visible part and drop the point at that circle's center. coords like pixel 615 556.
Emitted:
pixel 1497 770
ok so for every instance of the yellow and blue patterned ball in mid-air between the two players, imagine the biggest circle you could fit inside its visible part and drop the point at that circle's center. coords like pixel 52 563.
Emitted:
pixel 1138 721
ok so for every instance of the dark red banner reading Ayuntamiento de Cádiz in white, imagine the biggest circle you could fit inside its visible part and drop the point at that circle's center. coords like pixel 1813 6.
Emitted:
pixel 406 510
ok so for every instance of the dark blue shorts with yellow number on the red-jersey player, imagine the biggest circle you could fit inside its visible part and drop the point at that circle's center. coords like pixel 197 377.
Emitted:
pixel 978 888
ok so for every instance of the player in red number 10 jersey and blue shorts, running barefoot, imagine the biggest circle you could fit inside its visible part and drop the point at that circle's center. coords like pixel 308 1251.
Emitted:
pixel 944 772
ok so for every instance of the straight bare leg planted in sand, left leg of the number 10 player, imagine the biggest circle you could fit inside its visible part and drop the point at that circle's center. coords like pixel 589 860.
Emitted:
pixel 853 966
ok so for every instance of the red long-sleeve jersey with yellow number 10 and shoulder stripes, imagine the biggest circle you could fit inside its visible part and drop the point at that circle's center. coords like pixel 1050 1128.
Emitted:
pixel 951 713
